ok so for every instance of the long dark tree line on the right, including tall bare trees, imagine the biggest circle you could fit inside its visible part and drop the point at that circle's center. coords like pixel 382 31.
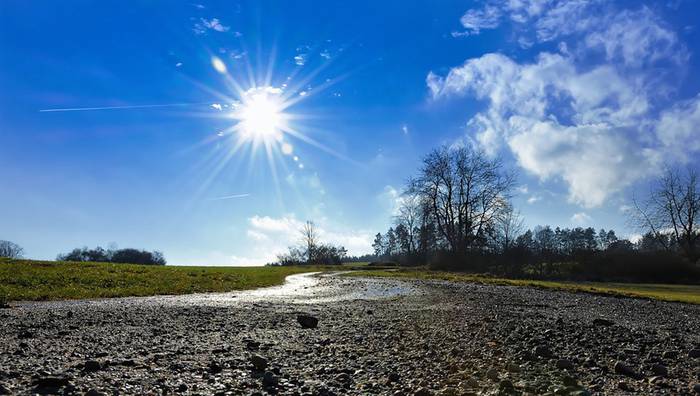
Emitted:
pixel 456 213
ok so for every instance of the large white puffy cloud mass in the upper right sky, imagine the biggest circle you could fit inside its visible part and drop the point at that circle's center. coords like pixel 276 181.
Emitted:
pixel 594 125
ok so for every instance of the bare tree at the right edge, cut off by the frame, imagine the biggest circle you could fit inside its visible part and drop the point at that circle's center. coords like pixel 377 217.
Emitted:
pixel 672 208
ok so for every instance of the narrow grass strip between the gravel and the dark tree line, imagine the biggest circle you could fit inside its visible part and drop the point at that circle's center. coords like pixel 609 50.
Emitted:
pixel 679 293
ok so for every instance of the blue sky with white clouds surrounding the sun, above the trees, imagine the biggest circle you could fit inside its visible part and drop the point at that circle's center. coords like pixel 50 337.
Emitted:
pixel 586 100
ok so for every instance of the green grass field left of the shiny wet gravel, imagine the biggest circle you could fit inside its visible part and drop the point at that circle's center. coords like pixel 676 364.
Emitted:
pixel 55 280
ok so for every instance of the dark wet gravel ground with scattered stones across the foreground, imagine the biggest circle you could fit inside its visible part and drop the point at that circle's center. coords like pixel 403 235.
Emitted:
pixel 373 336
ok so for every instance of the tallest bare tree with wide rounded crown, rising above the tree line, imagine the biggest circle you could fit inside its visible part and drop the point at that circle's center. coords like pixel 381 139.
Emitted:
pixel 466 192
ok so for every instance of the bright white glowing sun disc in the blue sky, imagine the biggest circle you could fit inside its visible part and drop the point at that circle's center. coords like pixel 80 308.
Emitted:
pixel 260 115
